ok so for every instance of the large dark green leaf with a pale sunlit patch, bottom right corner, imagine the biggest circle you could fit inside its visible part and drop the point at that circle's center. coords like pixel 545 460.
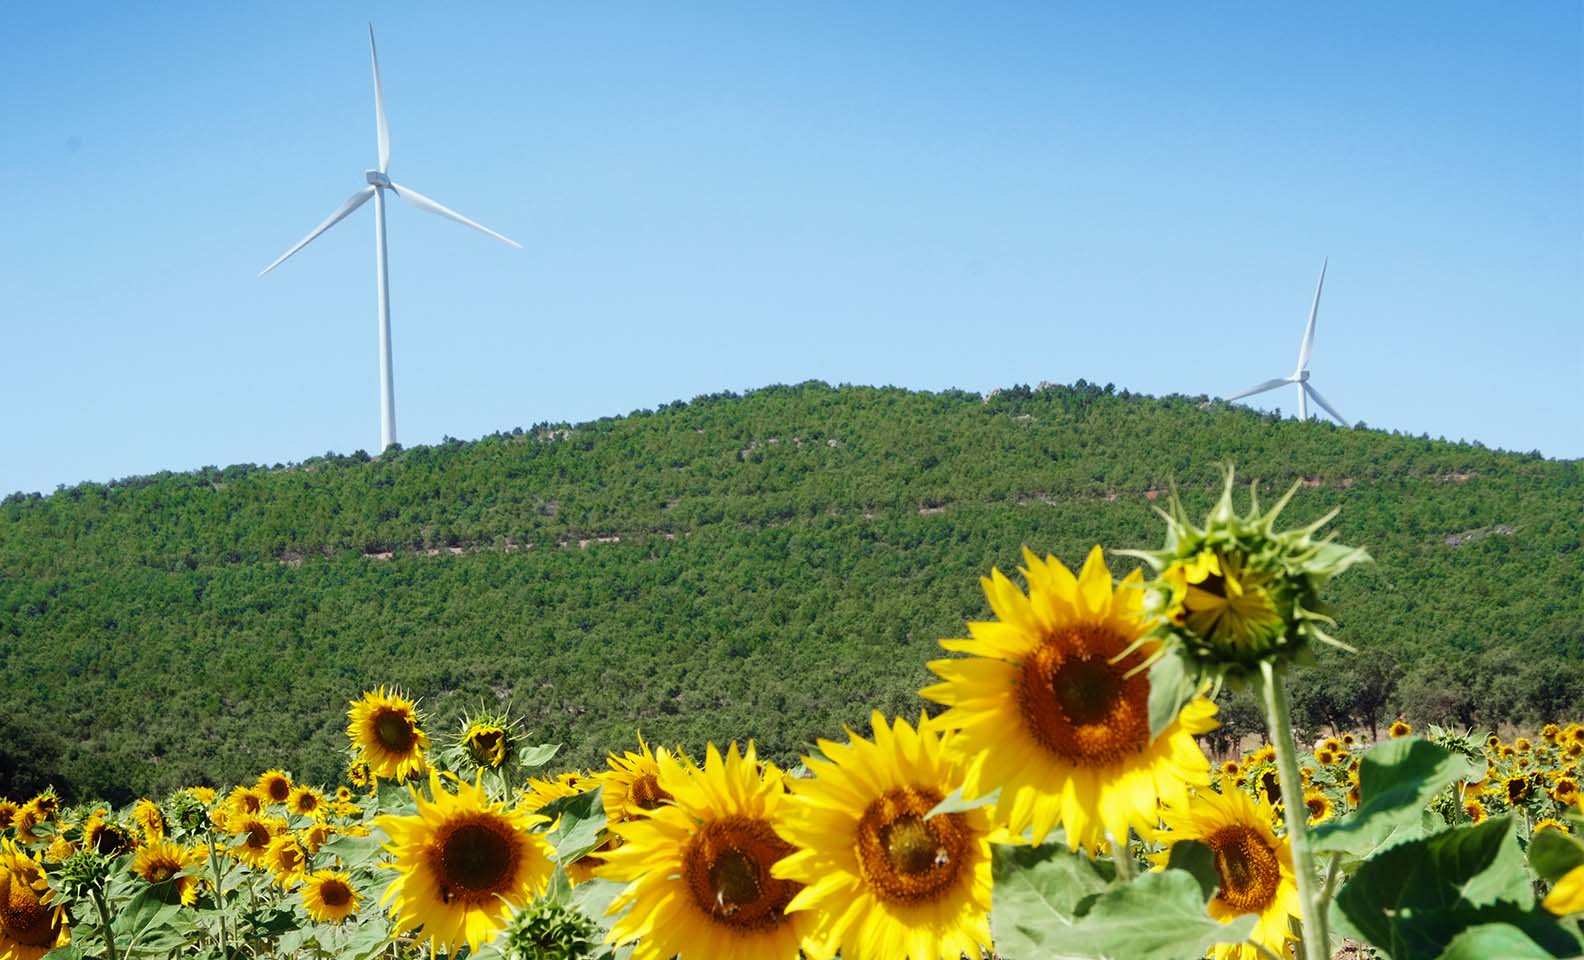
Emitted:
pixel 1415 899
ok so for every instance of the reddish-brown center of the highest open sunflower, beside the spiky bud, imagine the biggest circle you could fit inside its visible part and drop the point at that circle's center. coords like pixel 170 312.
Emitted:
pixel 1078 704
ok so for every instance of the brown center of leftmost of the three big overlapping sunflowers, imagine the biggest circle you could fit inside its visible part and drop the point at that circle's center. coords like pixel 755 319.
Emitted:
pixel 728 869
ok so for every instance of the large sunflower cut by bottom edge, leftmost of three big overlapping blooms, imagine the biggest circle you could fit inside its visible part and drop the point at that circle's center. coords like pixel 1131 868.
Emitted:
pixel 699 869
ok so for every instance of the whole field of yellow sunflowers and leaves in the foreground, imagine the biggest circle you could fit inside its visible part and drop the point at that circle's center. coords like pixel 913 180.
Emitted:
pixel 1049 799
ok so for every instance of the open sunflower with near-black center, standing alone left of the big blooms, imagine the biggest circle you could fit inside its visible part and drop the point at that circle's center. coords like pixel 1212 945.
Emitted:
pixel 463 864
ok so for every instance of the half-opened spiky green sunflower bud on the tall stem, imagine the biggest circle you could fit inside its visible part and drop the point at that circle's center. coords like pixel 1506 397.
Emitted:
pixel 1236 592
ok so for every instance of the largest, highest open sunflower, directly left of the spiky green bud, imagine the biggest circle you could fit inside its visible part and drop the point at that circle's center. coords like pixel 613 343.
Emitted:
pixel 1054 707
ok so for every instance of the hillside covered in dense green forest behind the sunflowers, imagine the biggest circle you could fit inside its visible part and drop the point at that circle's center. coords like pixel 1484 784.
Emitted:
pixel 767 566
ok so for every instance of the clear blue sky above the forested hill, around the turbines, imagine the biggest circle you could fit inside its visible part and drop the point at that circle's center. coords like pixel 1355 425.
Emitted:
pixel 731 196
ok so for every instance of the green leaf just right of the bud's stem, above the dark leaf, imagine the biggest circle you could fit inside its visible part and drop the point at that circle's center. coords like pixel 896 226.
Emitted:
pixel 1396 780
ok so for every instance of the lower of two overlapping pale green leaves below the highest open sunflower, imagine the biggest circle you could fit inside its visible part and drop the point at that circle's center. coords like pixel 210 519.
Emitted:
pixel 1160 916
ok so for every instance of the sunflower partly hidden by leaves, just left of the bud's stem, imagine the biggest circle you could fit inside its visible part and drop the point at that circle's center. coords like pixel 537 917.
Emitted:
pixel 1255 869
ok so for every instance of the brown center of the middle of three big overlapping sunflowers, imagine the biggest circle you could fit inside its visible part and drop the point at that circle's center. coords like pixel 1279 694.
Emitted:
pixel 905 858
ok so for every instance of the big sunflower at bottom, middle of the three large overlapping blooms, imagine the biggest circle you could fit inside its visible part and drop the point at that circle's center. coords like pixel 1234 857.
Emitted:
pixel 883 880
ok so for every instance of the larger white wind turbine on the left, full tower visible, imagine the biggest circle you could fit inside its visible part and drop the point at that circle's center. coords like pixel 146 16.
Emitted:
pixel 379 181
